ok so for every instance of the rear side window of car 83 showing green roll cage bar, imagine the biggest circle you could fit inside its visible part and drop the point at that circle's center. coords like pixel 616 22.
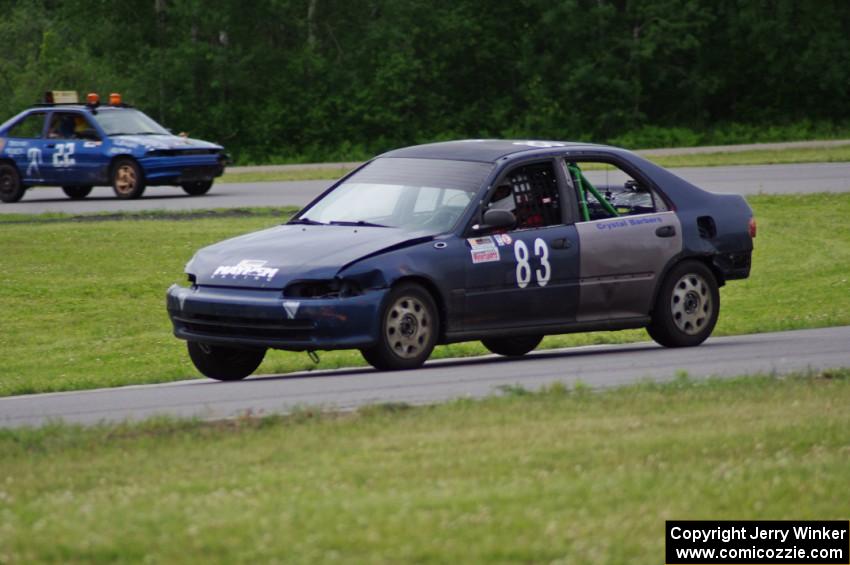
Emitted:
pixel 606 191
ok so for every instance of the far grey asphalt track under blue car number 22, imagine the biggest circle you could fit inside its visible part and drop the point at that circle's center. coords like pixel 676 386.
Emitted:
pixel 772 179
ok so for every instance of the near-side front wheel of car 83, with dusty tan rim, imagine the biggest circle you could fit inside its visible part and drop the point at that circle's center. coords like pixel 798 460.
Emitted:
pixel 409 327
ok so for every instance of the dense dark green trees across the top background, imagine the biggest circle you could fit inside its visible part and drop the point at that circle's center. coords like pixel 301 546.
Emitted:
pixel 328 79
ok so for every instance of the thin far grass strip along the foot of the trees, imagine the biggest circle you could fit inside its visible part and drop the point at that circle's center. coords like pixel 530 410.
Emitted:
pixel 755 157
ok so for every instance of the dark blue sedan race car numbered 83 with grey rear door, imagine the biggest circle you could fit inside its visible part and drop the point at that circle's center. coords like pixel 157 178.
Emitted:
pixel 499 241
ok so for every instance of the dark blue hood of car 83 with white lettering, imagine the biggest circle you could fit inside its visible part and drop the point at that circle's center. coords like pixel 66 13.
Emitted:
pixel 274 257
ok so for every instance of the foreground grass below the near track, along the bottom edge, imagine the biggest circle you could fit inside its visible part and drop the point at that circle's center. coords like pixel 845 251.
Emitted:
pixel 559 477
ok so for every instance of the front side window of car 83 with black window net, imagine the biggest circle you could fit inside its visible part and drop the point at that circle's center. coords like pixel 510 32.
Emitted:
pixel 531 193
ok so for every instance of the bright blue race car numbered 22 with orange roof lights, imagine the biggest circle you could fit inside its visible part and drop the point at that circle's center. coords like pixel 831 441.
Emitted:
pixel 78 146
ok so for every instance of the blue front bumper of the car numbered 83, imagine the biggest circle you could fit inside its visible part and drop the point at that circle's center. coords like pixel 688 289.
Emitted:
pixel 264 318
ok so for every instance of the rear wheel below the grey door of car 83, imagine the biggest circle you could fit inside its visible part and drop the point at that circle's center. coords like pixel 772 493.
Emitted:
pixel 687 307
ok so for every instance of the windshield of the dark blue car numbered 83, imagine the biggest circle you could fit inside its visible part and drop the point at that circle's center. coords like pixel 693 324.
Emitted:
pixel 417 195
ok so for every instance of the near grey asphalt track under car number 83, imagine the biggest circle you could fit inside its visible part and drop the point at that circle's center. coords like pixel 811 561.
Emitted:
pixel 597 366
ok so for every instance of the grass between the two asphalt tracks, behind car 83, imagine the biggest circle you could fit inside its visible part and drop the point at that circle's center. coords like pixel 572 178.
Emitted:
pixel 83 302
